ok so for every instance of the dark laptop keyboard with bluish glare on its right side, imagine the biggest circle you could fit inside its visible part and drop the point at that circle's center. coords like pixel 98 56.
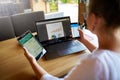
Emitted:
pixel 65 48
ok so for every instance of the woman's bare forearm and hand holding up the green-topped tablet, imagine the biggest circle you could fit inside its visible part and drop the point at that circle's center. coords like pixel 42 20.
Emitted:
pixel 39 71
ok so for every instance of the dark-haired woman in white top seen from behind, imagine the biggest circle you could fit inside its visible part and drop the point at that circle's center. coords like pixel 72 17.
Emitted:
pixel 103 64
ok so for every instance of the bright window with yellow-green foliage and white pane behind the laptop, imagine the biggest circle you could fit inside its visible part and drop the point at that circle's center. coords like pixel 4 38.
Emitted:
pixel 59 8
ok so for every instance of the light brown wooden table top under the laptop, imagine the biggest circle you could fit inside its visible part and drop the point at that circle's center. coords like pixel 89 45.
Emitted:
pixel 15 66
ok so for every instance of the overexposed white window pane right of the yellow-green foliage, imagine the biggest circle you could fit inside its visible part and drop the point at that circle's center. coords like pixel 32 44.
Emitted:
pixel 69 8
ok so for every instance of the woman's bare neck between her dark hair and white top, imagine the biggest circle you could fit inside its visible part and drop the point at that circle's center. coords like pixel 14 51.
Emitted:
pixel 110 41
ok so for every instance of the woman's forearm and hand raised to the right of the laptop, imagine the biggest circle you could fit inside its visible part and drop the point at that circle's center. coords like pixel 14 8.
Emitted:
pixel 87 43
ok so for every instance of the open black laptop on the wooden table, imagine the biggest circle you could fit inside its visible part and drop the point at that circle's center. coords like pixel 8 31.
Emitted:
pixel 56 37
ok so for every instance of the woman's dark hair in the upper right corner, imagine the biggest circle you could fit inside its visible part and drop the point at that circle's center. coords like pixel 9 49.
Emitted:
pixel 109 10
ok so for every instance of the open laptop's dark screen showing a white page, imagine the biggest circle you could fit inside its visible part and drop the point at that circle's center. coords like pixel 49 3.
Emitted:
pixel 56 29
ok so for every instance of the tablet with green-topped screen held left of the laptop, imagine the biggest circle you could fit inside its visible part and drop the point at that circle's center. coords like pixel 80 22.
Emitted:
pixel 34 47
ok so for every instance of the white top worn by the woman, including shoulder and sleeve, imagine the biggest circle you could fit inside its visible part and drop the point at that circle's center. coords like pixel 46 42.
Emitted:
pixel 100 65
